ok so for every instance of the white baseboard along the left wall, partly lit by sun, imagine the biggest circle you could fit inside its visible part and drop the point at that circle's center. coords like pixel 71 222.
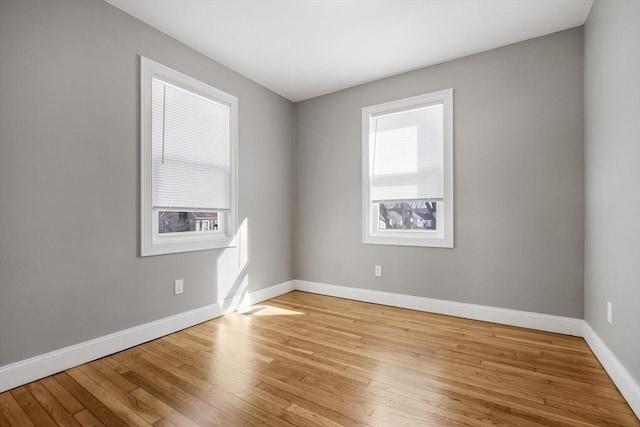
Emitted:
pixel 35 368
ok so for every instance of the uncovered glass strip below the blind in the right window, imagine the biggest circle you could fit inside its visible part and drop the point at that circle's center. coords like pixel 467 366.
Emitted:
pixel 407 216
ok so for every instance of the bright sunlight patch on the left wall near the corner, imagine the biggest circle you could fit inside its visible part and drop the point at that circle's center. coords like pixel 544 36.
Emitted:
pixel 233 280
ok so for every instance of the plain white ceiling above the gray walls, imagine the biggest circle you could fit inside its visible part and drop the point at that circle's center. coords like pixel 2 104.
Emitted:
pixel 306 48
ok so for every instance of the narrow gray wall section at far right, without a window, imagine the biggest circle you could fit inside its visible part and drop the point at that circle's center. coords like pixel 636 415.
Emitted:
pixel 612 171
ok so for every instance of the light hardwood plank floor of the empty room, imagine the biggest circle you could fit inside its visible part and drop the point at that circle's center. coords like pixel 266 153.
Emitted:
pixel 310 360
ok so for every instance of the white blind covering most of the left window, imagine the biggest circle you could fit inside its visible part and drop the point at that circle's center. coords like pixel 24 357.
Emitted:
pixel 191 150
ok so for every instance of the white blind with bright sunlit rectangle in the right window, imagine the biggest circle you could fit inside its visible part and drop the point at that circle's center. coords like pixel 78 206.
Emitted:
pixel 408 155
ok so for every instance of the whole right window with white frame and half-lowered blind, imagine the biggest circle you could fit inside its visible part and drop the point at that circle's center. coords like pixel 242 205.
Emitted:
pixel 407 164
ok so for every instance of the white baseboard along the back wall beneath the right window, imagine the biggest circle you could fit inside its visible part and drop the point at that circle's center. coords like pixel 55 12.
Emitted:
pixel 525 319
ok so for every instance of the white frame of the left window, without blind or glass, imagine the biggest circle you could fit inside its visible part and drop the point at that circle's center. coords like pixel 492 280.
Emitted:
pixel 152 242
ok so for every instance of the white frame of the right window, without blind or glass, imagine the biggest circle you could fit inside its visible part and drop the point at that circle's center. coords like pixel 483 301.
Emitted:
pixel 371 234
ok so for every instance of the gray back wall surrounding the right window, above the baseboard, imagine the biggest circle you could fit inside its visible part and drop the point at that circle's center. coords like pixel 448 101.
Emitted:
pixel 519 191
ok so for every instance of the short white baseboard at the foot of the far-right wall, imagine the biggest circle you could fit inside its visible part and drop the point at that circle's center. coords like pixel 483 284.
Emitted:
pixel 628 387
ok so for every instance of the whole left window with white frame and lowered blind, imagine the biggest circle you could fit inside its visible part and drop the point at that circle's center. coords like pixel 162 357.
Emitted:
pixel 188 162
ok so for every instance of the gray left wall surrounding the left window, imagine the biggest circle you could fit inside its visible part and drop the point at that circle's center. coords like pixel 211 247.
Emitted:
pixel 69 178
